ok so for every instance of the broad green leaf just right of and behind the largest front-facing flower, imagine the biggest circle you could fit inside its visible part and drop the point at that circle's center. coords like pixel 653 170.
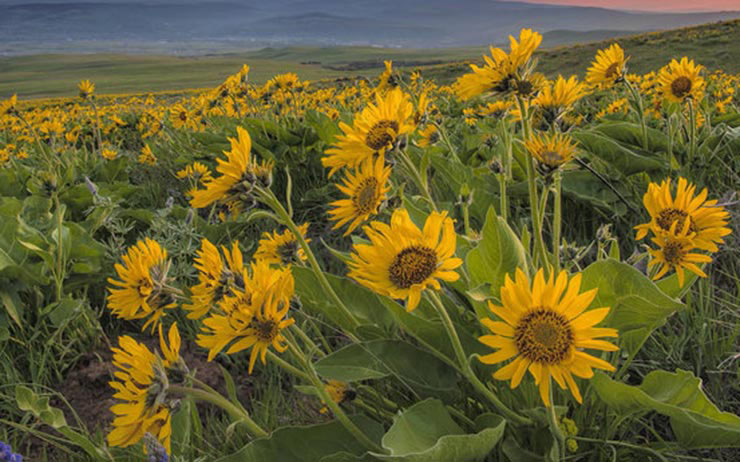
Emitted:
pixel 638 305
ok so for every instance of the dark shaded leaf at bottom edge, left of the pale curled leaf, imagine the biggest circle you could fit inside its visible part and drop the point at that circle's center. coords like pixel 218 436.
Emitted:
pixel 307 443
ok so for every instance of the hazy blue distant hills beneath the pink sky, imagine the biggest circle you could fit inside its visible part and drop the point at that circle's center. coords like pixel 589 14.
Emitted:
pixel 218 26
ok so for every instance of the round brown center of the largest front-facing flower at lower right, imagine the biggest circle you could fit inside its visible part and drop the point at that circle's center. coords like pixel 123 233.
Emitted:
pixel 544 336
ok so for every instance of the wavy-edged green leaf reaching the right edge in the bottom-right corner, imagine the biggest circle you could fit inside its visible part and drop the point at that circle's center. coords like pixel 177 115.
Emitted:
pixel 696 421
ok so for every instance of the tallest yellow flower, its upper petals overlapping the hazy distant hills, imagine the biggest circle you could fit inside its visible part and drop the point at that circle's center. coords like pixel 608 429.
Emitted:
pixel 502 72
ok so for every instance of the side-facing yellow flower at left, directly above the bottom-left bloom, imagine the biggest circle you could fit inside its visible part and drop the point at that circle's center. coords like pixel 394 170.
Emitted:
pixel 140 288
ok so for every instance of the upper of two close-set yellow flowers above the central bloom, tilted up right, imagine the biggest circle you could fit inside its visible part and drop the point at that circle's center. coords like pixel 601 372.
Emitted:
pixel 374 131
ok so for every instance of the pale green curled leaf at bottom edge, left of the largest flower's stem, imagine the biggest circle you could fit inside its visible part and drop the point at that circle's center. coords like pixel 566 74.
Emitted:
pixel 425 432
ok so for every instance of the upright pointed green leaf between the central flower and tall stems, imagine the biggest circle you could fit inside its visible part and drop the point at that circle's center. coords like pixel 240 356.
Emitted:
pixel 499 253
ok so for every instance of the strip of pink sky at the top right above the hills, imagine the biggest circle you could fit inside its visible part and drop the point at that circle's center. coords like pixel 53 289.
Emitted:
pixel 652 5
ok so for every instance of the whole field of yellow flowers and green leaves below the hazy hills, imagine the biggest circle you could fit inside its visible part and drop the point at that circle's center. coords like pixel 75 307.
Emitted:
pixel 316 258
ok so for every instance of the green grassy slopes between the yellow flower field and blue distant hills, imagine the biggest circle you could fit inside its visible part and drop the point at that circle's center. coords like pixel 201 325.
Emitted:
pixel 714 45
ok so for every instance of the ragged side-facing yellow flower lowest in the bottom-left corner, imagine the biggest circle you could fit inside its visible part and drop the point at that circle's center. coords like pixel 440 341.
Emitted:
pixel 141 385
